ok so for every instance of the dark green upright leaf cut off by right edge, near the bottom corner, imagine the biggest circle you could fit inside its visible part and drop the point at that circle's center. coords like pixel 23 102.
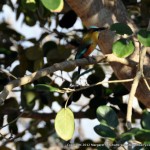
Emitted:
pixel 145 121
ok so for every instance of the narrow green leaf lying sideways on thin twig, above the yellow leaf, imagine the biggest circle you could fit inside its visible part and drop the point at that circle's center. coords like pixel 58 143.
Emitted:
pixel 45 87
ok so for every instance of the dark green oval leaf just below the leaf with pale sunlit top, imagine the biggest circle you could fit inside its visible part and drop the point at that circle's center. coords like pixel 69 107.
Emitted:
pixel 104 131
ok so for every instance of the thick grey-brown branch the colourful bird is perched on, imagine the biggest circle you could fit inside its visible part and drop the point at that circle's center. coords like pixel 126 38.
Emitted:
pixel 59 66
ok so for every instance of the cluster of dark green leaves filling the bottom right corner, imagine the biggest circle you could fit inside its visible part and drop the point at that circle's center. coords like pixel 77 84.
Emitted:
pixel 138 134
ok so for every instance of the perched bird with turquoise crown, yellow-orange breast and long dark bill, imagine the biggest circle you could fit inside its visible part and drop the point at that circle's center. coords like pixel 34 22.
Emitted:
pixel 88 43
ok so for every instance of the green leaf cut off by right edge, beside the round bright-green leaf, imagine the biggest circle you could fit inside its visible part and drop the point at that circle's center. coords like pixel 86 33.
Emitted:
pixel 144 37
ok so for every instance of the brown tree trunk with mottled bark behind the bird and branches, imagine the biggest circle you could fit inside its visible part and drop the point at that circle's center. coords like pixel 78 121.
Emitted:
pixel 104 13
